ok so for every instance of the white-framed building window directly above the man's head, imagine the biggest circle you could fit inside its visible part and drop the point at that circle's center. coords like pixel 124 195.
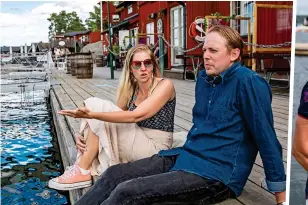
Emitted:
pixel 244 9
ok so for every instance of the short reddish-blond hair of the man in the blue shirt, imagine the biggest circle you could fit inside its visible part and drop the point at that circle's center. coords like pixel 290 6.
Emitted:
pixel 233 38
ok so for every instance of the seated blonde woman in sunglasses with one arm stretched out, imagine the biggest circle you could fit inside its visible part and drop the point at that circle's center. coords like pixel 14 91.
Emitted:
pixel 139 126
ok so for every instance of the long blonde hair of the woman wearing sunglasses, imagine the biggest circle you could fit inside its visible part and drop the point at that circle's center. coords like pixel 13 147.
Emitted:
pixel 127 81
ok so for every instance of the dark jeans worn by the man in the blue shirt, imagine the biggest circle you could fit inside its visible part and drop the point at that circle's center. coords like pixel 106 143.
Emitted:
pixel 149 181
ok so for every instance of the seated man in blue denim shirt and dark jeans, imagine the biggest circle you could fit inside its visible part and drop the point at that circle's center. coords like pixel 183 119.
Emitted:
pixel 232 121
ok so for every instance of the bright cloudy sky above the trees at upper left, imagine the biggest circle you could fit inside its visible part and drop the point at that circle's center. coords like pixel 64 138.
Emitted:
pixel 25 22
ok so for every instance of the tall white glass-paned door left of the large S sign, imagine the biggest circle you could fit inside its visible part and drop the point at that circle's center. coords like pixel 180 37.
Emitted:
pixel 177 34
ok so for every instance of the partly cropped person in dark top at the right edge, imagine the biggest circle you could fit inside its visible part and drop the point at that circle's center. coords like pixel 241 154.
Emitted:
pixel 300 144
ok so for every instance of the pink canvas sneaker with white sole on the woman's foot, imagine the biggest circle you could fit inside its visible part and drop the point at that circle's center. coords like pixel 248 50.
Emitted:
pixel 71 179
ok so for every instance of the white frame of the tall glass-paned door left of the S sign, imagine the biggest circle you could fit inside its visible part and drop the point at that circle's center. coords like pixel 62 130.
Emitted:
pixel 180 27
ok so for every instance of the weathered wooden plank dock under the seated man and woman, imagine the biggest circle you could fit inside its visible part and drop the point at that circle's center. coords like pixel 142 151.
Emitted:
pixel 69 93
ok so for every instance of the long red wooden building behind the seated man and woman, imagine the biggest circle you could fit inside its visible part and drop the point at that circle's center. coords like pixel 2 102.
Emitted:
pixel 273 24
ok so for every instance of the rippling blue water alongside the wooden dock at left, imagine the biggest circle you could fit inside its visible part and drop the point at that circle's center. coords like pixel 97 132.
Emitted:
pixel 29 149
